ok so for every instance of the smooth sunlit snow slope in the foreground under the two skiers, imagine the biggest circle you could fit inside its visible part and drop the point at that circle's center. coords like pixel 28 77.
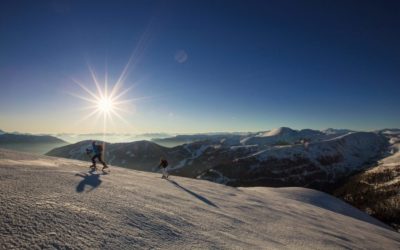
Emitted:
pixel 54 203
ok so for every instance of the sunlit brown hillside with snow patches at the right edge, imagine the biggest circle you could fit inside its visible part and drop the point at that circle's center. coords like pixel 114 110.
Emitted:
pixel 376 190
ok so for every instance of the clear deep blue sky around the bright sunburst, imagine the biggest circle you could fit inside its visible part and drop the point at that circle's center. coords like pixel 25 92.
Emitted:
pixel 200 66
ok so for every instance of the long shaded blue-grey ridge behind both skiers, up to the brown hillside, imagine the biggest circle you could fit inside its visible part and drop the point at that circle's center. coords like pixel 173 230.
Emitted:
pixel 282 157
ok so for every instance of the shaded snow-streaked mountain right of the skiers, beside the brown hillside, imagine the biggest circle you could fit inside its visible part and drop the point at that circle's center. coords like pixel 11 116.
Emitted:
pixel 319 164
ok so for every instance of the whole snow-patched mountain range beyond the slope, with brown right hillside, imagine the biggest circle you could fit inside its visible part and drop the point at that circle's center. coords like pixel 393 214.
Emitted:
pixel 324 160
